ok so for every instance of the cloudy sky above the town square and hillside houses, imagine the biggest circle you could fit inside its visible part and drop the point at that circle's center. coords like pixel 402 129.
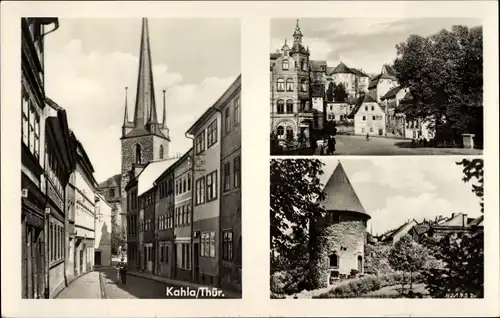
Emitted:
pixel 365 43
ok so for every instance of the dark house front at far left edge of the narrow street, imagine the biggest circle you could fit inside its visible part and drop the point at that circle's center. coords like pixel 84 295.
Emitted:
pixel 33 229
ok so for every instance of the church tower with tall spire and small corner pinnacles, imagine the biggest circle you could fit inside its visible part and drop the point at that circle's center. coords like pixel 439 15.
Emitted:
pixel 144 139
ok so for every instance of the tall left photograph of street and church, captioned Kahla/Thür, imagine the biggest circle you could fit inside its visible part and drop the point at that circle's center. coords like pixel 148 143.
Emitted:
pixel 130 158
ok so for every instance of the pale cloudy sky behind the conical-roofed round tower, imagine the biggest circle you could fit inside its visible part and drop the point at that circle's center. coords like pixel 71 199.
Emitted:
pixel 395 189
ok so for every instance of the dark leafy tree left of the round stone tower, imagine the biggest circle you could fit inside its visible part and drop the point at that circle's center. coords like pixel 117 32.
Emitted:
pixel 295 187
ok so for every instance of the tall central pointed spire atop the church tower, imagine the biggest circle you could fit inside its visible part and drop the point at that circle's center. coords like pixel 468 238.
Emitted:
pixel 145 107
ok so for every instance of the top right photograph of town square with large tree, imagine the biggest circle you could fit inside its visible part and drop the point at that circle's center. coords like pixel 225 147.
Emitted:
pixel 376 86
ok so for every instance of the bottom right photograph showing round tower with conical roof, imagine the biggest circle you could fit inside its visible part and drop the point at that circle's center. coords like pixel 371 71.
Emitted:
pixel 384 227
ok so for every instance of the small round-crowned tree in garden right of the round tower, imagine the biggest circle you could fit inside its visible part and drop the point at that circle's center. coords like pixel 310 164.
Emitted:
pixel 407 256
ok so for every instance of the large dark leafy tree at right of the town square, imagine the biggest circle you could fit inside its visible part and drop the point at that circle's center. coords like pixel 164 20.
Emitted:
pixel 444 75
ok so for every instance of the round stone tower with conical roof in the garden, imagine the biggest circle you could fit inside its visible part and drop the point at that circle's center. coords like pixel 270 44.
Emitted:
pixel 337 241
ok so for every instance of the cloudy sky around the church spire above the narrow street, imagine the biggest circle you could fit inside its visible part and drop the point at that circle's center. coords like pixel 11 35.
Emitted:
pixel 89 62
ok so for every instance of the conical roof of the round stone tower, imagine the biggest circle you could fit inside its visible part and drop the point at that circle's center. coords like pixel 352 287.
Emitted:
pixel 340 195
